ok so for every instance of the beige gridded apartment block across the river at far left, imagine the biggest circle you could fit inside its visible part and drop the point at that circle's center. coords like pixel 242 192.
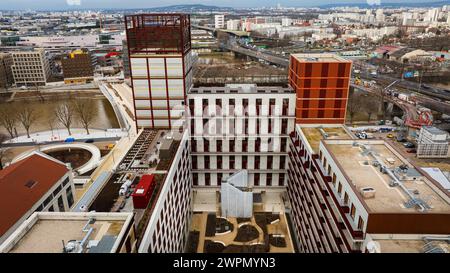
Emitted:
pixel 30 67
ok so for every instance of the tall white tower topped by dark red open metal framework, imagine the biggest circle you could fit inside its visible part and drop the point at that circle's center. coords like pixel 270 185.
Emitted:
pixel 159 49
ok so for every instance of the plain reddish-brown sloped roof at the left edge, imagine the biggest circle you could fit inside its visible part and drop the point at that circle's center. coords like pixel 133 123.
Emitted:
pixel 24 183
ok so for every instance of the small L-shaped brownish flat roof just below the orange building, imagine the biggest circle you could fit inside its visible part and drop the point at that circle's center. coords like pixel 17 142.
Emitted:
pixel 314 134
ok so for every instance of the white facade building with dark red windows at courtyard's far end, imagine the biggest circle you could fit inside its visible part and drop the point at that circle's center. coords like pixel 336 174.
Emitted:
pixel 240 127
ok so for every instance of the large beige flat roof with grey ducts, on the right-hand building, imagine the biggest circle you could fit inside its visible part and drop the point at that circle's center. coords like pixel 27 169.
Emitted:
pixel 358 166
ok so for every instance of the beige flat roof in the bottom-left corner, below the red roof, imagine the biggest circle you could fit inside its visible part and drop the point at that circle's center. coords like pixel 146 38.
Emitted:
pixel 44 232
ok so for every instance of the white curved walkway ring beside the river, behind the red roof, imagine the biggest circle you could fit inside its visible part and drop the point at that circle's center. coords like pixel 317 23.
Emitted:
pixel 91 164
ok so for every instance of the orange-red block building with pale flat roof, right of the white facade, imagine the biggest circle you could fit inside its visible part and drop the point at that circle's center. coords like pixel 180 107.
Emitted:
pixel 321 82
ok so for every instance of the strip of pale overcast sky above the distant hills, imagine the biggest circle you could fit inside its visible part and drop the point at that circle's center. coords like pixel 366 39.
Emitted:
pixel 86 4
